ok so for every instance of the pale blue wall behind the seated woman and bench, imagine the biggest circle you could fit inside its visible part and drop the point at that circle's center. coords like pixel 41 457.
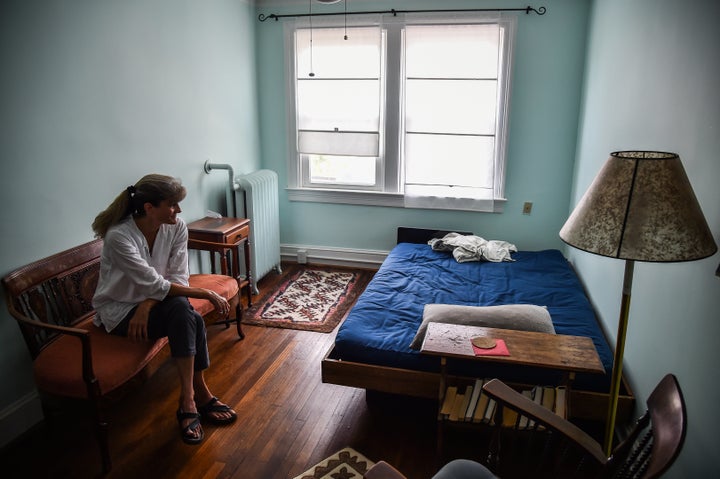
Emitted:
pixel 96 94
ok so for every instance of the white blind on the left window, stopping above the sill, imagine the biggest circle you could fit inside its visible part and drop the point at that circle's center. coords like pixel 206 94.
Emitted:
pixel 338 107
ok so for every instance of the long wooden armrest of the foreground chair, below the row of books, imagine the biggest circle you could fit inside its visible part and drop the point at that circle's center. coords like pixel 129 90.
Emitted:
pixel 508 397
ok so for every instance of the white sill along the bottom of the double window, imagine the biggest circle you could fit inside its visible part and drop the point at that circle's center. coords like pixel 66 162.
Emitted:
pixel 396 200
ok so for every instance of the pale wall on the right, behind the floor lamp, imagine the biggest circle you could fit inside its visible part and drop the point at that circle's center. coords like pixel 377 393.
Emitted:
pixel 652 83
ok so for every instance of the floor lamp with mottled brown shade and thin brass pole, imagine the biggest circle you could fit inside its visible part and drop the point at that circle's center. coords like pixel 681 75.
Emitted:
pixel 640 207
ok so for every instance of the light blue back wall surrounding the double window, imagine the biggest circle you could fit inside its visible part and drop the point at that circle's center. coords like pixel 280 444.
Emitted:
pixel 547 76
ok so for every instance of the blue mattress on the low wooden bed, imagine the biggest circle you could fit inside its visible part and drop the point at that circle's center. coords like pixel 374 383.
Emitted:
pixel 380 327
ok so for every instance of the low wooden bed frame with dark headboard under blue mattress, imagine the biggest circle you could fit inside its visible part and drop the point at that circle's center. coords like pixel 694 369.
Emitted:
pixel 585 405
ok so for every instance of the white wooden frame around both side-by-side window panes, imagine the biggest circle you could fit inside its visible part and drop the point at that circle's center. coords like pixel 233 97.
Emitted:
pixel 390 171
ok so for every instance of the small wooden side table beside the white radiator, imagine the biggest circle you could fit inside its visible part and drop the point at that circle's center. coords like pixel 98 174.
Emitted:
pixel 223 236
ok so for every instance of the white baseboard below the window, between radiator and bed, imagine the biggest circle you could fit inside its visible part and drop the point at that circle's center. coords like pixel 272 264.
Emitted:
pixel 334 256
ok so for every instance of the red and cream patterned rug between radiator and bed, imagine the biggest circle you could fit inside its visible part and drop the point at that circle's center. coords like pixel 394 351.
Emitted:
pixel 310 297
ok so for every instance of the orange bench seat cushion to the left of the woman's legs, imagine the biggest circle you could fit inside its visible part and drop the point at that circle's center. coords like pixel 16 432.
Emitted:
pixel 116 359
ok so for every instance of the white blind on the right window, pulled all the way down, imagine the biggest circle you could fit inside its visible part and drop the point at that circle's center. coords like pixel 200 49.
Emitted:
pixel 451 114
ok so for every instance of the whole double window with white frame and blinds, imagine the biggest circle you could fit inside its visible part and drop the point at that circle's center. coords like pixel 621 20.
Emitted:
pixel 398 111
